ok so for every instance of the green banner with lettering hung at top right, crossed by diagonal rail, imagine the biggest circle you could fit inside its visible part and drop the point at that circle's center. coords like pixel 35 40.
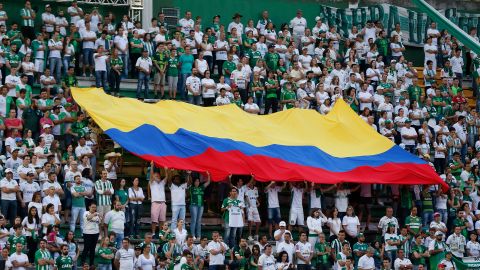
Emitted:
pixel 414 24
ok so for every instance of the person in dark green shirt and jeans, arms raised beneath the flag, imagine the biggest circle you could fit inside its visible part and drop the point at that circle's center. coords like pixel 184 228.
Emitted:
pixel 196 192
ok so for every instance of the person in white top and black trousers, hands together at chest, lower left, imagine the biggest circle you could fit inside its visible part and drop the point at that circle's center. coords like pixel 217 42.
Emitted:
pixel 91 231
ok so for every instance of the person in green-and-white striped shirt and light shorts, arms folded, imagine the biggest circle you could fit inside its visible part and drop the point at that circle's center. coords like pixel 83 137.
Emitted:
pixel 104 191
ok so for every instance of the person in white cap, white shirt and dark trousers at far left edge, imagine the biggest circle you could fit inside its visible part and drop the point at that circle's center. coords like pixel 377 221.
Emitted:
pixel 9 188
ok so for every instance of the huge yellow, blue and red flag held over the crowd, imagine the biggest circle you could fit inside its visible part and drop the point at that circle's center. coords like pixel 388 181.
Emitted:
pixel 290 145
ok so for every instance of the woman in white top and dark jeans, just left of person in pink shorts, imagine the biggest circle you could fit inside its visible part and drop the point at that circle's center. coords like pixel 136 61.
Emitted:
pixel 135 199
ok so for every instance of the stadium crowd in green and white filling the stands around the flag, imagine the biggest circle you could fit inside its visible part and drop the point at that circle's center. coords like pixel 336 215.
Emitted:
pixel 50 146
